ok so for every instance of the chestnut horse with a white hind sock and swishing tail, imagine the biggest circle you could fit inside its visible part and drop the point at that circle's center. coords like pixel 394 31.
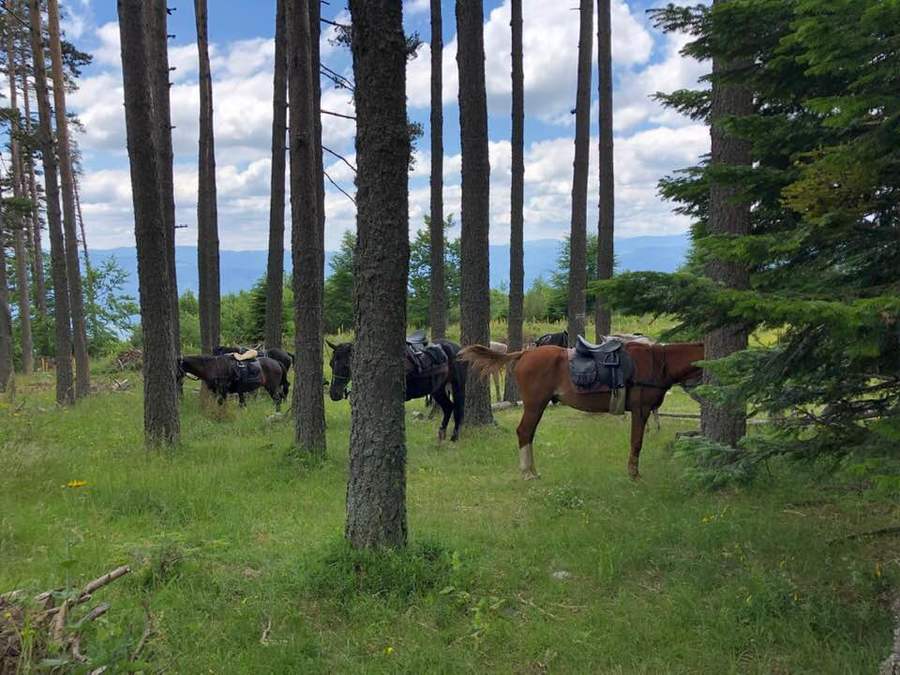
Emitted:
pixel 542 374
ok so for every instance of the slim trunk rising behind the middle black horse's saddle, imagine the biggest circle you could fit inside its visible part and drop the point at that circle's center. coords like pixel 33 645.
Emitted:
pixel 438 298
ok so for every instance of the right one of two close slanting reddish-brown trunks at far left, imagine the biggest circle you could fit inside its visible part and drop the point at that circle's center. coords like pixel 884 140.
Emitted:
pixel 73 268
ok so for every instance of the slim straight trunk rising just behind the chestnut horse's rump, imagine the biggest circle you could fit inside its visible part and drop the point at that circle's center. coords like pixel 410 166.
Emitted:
pixel 516 219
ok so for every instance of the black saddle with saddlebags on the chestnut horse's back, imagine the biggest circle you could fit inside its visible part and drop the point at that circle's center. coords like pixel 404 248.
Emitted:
pixel 601 367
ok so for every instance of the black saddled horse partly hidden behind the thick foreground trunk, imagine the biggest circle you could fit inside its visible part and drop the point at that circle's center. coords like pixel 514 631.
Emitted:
pixel 433 382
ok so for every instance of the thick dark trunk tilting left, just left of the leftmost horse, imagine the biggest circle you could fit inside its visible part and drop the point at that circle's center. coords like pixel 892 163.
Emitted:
pixel 161 423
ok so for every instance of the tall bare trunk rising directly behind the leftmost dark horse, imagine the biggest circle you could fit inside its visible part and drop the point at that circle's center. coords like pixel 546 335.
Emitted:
pixel 207 213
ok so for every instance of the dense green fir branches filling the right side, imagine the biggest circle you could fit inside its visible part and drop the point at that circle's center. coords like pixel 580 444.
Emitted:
pixel 823 249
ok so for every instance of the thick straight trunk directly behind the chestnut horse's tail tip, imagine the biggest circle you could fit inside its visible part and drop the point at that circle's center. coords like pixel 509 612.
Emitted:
pixel 475 305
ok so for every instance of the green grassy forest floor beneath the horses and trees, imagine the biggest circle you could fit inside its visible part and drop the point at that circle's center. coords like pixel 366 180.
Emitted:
pixel 232 538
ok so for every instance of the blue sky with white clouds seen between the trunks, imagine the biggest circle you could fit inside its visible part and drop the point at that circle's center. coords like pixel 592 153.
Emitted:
pixel 650 142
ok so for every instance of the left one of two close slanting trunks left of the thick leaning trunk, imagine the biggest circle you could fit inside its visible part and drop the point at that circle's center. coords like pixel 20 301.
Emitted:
pixel 65 389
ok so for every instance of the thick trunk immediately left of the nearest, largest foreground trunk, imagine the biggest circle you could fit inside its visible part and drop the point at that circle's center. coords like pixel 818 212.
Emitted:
pixel 306 242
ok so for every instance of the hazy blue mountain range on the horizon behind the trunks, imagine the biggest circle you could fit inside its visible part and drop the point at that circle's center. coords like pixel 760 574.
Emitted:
pixel 241 269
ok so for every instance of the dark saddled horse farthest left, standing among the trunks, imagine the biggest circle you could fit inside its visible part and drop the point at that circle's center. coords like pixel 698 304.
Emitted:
pixel 220 375
